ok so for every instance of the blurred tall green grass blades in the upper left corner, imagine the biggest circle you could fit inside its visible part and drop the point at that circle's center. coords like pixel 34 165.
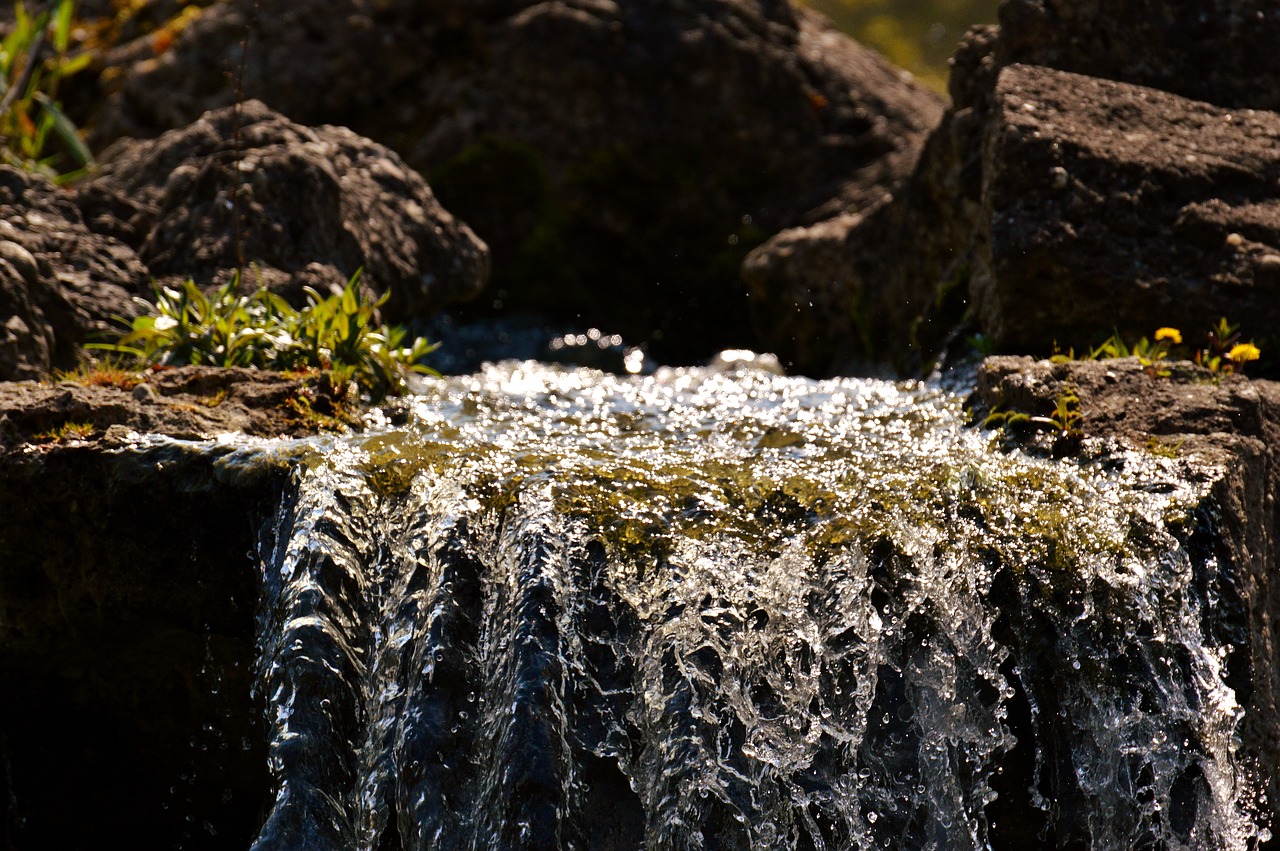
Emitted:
pixel 34 60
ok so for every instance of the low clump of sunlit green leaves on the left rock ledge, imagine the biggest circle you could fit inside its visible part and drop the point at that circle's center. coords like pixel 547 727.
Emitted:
pixel 337 335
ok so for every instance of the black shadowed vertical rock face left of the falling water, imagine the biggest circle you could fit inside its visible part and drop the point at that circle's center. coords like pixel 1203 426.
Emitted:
pixel 127 620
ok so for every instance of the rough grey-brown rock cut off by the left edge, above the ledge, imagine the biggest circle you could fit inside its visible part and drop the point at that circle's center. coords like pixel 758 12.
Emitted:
pixel 60 283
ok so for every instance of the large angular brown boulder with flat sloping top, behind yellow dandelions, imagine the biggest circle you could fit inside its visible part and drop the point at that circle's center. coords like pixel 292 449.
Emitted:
pixel 1109 207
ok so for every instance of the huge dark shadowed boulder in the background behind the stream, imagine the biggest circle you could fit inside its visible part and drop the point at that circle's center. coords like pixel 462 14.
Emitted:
pixel 620 159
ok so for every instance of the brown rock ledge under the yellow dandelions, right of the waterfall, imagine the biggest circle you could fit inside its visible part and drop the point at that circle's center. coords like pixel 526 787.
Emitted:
pixel 1224 423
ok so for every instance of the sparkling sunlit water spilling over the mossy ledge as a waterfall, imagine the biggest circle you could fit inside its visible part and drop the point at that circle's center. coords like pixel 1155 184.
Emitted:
pixel 551 608
